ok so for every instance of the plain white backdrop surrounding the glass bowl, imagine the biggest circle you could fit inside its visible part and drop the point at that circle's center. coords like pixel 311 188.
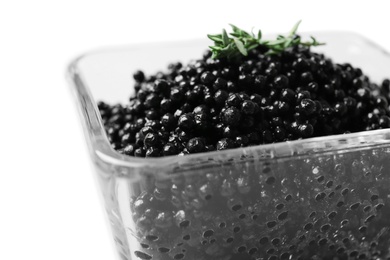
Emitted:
pixel 49 202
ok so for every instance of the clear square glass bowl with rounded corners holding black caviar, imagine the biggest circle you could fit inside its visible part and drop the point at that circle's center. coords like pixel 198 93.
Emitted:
pixel 317 198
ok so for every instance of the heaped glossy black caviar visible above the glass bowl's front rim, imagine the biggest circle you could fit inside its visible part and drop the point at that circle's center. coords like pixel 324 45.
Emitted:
pixel 216 104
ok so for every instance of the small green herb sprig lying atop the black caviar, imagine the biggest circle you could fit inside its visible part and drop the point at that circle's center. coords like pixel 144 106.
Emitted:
pixel 241 42
